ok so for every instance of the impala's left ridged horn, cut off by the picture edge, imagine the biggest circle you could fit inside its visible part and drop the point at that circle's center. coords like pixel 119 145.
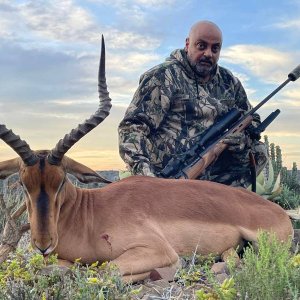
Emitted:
pixel 18 145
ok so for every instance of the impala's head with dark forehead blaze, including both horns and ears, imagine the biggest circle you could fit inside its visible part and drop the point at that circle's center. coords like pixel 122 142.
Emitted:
pixel 43 173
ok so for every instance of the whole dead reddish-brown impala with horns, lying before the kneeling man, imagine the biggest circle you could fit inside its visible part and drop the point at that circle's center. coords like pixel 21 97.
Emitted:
pixel 139 223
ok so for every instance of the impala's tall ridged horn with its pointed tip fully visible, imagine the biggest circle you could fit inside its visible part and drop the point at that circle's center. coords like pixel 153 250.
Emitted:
pixel 76 134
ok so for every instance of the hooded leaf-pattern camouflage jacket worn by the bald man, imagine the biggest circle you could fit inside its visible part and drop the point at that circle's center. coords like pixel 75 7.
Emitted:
pixel 170 110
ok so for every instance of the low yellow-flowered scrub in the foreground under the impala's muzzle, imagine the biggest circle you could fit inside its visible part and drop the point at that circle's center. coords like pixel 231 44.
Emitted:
pixel 25 278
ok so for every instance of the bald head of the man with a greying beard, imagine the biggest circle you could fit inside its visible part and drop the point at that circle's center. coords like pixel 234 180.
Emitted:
pixel 203 46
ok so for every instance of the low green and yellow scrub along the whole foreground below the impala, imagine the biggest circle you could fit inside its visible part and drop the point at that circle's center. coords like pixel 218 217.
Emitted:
pixel 271 273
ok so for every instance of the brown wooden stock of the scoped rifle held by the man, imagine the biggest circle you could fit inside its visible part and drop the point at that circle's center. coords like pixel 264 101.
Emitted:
pixel 211 154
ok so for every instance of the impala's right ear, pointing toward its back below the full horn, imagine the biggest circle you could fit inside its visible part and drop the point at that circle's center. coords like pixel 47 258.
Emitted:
pixel 82 172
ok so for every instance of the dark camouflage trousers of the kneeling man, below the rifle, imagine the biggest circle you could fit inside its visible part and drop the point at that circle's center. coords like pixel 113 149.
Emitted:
pixel 234 168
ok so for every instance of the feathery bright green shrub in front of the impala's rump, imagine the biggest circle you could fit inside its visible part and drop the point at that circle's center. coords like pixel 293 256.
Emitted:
pixel 270 274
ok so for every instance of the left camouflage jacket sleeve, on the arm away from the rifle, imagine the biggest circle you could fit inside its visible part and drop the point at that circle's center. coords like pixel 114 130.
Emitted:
pixel 142 118
